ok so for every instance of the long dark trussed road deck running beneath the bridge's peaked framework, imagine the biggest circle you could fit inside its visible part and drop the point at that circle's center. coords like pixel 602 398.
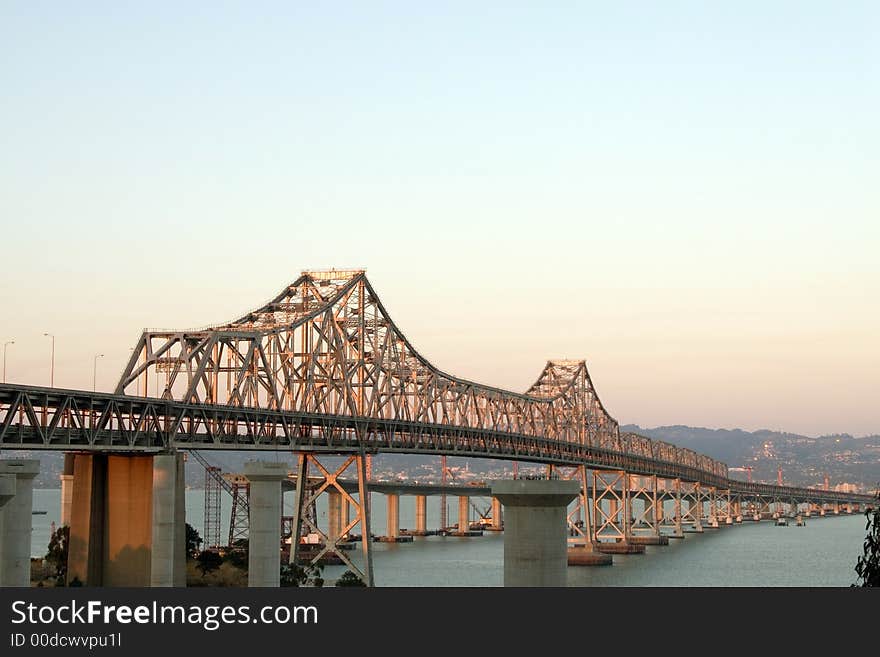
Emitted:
pixel 40 418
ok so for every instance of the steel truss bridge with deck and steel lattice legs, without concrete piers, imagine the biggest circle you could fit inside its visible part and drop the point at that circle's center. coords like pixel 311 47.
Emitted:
pixel 322 369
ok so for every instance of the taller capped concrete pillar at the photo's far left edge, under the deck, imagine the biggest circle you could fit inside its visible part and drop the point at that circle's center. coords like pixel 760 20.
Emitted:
pixel 16 506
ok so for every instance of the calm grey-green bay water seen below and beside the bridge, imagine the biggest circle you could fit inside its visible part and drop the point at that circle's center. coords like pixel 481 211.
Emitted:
pixel 822 553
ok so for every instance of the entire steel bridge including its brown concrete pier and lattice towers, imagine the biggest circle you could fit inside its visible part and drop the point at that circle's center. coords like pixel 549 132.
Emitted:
pixel 319 370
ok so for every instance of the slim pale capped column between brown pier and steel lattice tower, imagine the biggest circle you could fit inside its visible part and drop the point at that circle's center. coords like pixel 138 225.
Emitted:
pixel 264 546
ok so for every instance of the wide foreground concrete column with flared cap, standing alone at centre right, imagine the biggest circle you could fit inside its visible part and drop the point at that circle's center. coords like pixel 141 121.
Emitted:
pixel 535 541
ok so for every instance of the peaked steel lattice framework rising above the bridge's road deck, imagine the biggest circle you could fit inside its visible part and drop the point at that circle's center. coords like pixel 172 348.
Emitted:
pixel 327 346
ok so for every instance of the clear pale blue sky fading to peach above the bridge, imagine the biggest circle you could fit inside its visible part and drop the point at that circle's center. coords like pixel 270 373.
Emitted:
pixel 684 194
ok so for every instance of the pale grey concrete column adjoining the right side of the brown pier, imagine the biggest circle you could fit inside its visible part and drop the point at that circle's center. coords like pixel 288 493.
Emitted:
pixel 168 553
